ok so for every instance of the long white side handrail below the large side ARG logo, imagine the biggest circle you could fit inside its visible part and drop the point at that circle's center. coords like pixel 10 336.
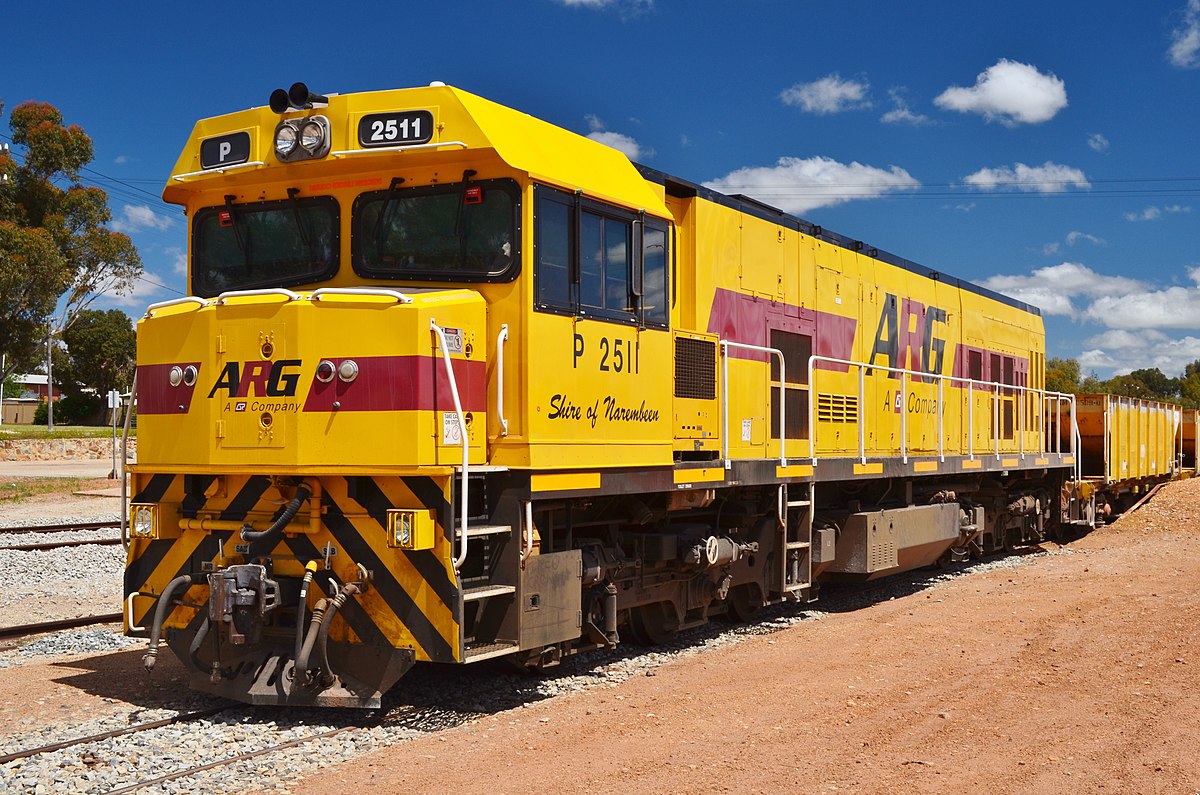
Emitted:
pixel 995 388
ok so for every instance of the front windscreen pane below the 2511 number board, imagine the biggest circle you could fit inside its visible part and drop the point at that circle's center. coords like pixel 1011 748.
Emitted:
pixel 465 231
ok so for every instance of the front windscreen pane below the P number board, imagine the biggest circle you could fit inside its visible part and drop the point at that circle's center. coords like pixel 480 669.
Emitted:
pixel 265 244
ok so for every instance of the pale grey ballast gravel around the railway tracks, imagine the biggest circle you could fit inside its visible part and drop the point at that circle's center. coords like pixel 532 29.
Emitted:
pixel 428 701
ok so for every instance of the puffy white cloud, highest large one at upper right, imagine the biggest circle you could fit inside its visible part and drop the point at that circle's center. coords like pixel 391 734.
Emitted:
pixel 1010 93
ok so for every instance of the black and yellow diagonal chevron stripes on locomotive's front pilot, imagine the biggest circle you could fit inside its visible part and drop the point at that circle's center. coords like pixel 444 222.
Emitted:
pixel 415 600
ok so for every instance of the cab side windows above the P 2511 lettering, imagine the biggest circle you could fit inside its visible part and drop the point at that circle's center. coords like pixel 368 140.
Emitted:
pixel 598 261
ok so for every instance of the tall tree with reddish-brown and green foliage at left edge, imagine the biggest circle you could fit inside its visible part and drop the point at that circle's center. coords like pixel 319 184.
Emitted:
pixel 57 254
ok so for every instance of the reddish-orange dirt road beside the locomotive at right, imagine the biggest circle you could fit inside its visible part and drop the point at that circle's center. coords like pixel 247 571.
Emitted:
pixel 1076 673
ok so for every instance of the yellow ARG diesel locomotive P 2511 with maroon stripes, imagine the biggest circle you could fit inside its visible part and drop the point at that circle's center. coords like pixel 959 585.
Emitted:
pixel 453 384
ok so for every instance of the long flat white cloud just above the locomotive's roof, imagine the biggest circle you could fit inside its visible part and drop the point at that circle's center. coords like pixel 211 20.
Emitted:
pixel 797 186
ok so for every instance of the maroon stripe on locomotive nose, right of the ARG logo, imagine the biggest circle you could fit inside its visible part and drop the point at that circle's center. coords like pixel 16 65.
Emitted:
pixel 401 384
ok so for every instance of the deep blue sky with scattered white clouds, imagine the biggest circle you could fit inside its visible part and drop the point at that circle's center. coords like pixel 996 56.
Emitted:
pixel 1045 150
